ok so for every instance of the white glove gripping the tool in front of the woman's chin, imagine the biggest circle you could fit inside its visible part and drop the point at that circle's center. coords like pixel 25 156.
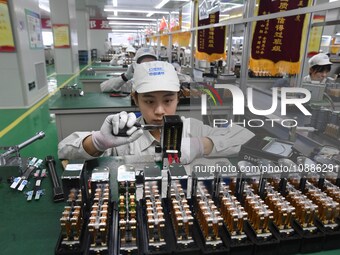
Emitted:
pixel 107 136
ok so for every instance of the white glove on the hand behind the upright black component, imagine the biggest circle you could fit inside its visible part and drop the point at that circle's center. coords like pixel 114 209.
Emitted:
pixel 191 148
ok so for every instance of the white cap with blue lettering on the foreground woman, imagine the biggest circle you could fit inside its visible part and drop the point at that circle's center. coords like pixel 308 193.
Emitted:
pixel 155 76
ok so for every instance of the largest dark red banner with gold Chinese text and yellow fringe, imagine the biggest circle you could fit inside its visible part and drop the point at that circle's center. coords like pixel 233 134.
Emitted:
pixel 277 42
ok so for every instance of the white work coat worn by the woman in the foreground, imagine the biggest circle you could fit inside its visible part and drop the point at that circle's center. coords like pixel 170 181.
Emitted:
pixel 227 141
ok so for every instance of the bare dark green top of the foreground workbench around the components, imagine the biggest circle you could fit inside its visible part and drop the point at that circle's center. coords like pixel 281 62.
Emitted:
pixel 33 228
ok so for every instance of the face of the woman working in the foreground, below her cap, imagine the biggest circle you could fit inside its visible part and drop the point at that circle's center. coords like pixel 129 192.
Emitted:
pixel 154 105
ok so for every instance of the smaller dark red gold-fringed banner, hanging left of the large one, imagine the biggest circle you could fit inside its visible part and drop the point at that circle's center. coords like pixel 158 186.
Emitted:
pixel 210 41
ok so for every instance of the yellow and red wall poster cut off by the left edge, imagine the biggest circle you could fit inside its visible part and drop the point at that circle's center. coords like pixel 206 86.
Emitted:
pixel 6 35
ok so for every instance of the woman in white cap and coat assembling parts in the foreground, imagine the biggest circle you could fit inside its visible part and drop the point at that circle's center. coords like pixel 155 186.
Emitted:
pixel 155 92
